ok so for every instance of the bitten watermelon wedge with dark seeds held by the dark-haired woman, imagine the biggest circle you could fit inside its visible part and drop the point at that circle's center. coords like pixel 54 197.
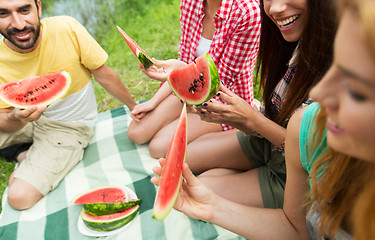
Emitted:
pixel 197 82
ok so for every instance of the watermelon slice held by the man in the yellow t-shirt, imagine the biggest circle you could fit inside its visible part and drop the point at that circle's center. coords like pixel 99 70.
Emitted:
pixel 35 91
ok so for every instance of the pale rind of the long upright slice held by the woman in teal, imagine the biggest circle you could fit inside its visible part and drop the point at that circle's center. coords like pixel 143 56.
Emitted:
pixel 158 212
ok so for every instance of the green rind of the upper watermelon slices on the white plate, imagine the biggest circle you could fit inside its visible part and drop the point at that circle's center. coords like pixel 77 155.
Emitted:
pixel 99 209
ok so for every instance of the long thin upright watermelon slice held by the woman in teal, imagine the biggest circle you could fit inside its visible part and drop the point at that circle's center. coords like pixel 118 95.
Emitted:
pixel 171 176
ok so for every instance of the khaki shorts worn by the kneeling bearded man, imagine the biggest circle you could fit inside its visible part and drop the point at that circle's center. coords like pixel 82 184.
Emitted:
pixel 57 147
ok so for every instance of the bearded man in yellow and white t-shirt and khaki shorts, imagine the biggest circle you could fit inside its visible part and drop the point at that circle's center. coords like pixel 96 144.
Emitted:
pixel 60 132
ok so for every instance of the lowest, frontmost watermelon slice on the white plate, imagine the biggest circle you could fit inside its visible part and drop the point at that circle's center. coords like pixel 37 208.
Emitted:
pixel 109 222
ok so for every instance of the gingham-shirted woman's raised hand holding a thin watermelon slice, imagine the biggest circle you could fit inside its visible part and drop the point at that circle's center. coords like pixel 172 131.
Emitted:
pixel 161 69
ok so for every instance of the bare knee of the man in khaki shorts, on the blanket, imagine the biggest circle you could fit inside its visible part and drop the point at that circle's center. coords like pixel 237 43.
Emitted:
pixel 22 198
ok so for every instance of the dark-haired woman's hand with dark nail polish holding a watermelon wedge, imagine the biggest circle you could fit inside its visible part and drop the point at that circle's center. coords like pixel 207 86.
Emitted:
pixel 236 112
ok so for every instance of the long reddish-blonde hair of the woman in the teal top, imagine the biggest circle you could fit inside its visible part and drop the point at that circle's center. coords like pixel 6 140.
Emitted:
pixel 344 187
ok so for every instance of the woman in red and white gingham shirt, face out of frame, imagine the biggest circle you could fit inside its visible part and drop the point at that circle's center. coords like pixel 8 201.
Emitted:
pixel 229 31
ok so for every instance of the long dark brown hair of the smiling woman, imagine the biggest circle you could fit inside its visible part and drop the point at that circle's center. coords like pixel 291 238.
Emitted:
pixel 315 57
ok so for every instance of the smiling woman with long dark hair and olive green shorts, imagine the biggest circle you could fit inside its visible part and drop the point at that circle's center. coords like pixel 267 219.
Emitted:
pixel 296 49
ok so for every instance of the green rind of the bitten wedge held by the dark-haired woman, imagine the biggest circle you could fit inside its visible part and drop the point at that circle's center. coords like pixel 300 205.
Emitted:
pixel 214 83
